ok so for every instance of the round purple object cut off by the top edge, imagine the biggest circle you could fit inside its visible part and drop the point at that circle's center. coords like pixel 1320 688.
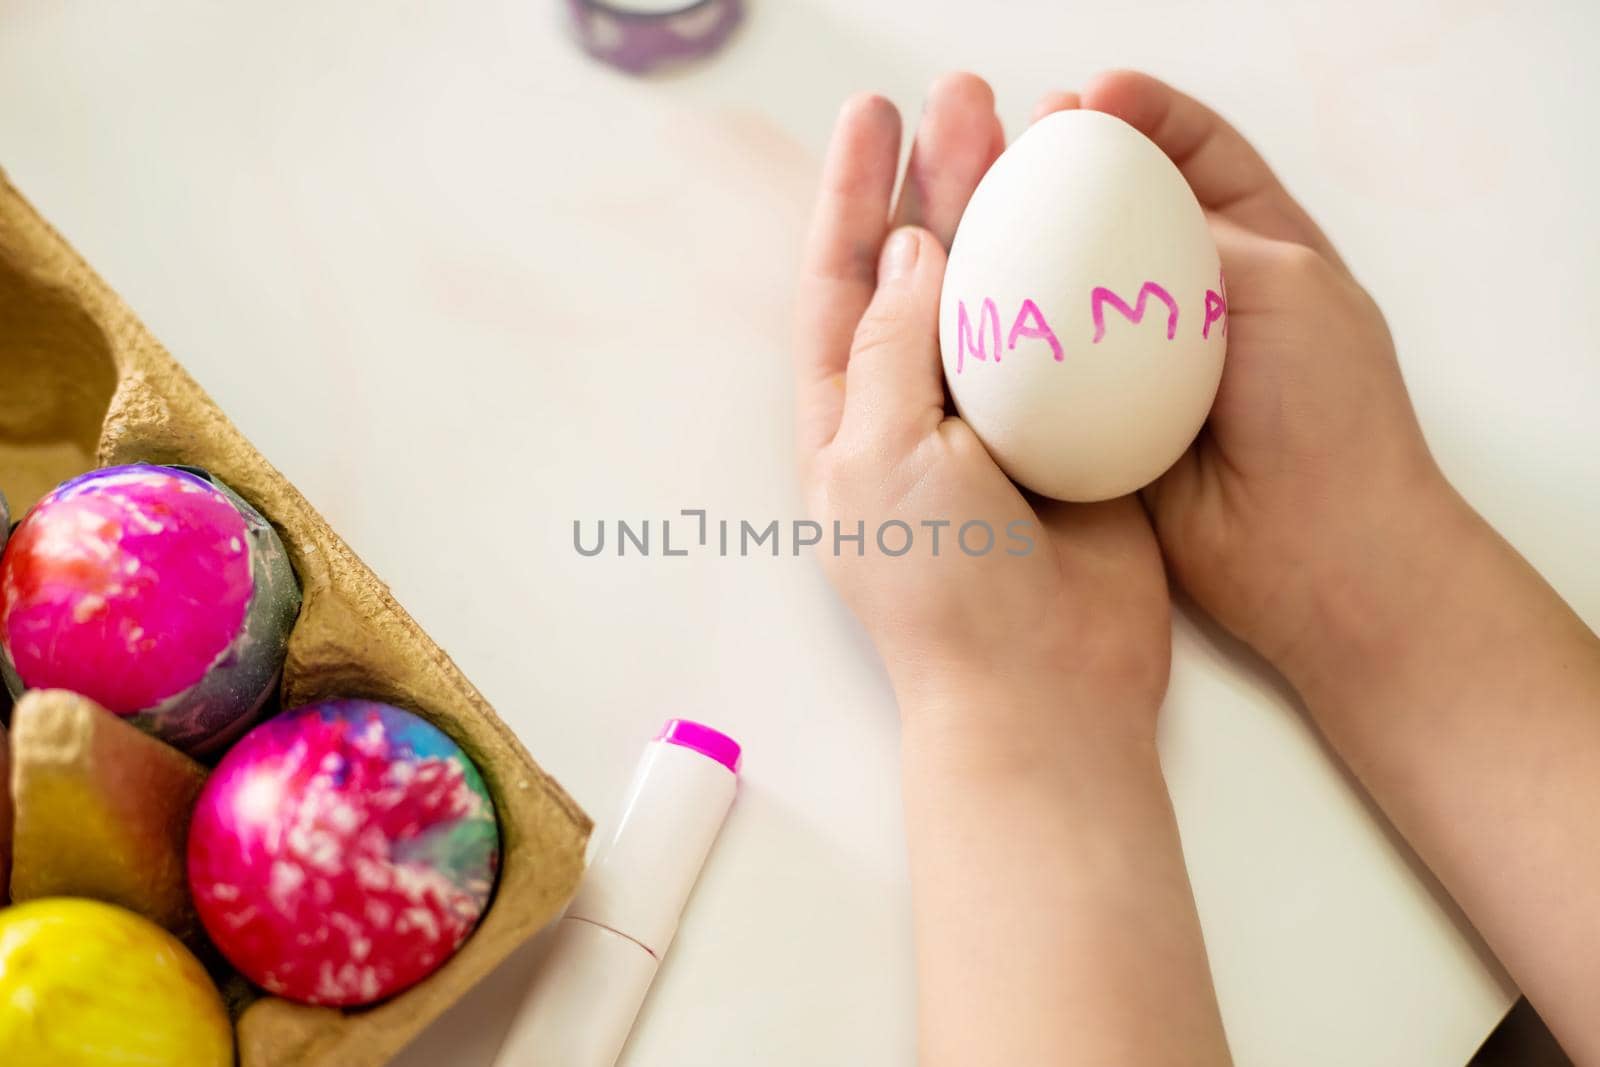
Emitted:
pixel 639 41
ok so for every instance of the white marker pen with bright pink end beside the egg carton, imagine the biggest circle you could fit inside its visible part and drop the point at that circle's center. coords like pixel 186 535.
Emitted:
pixel 607 948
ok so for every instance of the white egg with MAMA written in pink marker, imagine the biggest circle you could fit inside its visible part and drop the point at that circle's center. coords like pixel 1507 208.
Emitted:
pixel 1084 316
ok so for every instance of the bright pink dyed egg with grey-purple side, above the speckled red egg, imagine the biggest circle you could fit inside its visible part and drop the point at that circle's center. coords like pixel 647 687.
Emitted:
pixel 156 593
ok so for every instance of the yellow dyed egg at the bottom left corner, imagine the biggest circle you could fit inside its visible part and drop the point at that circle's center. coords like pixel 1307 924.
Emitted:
pixel 87 985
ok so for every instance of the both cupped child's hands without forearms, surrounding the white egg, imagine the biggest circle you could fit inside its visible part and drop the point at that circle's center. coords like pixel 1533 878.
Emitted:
pixel 1289 510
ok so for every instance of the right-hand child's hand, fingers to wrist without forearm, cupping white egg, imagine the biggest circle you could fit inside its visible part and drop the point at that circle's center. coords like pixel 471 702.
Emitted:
pixel 1313 455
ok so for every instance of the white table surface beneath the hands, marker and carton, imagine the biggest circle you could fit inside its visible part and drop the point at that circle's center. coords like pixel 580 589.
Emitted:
pixel 466 287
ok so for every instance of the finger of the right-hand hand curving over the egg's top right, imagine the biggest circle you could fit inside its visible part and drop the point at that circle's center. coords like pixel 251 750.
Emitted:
pixel 1226 174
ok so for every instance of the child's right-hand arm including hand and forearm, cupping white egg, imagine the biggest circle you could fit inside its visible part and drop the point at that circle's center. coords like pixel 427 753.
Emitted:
pixel 1313 522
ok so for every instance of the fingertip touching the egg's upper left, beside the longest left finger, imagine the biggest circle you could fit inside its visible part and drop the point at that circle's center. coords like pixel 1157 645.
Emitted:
pixel 958 140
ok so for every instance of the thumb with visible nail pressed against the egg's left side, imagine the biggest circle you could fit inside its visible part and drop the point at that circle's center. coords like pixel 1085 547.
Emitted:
pixel 895 386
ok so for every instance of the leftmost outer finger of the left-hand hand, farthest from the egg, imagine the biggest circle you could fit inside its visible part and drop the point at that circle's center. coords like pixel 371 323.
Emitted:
pixel 841 262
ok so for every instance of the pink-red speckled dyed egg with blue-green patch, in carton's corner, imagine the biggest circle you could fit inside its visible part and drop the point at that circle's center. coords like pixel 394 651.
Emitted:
pixel 343 852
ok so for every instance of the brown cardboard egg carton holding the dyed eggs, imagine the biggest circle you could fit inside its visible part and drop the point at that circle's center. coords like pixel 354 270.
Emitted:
pixel 84 385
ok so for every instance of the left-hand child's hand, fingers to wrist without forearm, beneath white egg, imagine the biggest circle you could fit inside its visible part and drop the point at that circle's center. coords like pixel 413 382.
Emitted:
pixel 1065 605
